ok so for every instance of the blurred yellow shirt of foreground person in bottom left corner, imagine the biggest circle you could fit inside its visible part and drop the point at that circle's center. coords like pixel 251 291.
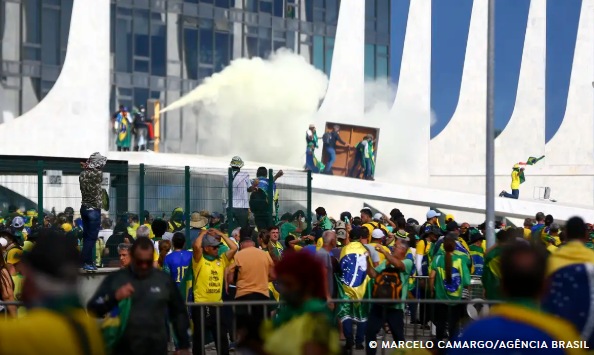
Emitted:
pixel 43 331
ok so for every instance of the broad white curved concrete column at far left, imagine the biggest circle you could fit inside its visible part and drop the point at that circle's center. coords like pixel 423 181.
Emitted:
pixel 72 120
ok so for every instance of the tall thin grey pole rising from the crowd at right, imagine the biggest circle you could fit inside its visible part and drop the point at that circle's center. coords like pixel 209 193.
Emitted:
pixel 490 151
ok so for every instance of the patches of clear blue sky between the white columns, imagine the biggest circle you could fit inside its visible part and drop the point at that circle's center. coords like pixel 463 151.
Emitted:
pixel 450 23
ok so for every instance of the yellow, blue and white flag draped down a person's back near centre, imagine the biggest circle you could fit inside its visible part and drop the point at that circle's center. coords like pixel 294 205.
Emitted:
pixel 353 283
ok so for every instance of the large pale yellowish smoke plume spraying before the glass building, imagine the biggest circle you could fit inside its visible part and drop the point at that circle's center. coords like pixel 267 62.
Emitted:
pixel 258 108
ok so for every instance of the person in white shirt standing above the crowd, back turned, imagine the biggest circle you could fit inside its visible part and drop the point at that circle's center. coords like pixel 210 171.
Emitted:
pixel 241 183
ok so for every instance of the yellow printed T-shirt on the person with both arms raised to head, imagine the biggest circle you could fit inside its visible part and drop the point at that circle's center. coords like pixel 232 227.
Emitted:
pixel 209 276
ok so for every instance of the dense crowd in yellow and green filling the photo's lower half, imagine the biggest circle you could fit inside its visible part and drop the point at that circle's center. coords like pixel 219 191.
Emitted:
pixel 347 279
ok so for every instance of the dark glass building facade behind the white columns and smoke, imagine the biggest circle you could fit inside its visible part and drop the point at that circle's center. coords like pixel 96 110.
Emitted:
pixel 162 49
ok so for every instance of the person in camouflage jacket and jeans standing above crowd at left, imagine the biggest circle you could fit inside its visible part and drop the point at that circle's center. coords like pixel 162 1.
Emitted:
pixel 90 210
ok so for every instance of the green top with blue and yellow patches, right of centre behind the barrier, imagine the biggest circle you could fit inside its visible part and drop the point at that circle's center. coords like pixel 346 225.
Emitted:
pixel 460 277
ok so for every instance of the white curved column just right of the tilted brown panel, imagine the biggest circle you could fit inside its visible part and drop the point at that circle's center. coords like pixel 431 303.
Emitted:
pixel 411 110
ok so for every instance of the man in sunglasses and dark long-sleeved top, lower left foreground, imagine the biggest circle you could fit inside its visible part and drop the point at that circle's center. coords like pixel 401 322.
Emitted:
pixel 153 296
